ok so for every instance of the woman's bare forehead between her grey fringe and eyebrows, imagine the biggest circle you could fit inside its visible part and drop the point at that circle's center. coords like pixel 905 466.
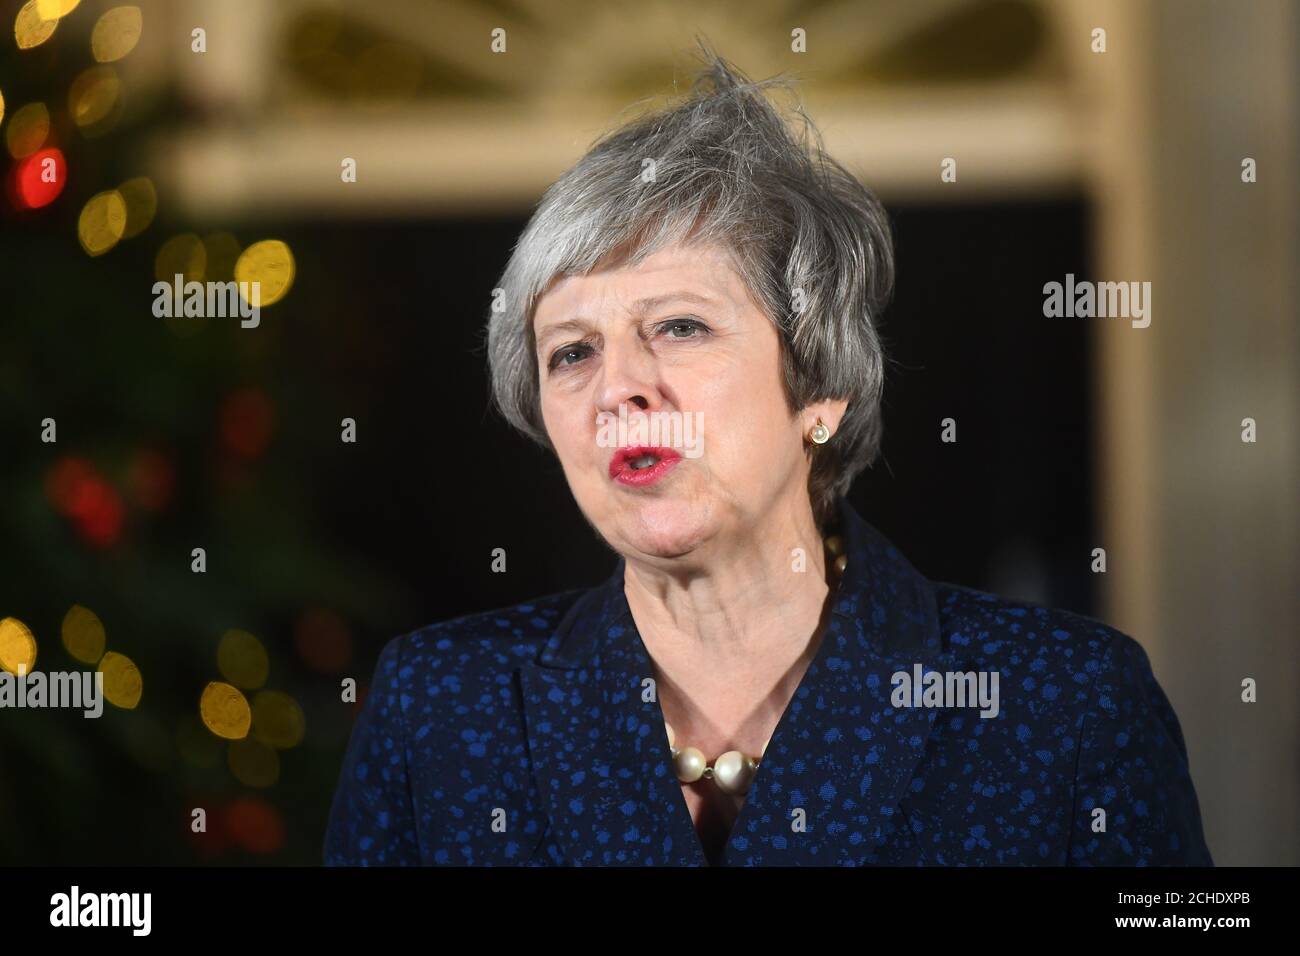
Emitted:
pixel 701 275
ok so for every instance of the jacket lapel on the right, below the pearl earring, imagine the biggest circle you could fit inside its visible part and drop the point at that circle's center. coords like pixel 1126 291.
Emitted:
pixel 829 789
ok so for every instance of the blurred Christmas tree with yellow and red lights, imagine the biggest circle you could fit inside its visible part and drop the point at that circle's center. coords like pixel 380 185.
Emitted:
pixel 129 442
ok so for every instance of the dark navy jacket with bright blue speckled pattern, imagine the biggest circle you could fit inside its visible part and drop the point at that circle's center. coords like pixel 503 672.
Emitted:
pixel 525 737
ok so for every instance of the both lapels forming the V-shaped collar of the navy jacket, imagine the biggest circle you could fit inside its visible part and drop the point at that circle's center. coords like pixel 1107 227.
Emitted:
pixel 839 762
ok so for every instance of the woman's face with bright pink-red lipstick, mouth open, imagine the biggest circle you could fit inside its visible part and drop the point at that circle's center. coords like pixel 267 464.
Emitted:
pixel 675 339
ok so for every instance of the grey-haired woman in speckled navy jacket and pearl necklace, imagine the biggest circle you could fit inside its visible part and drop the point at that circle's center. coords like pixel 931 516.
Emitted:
pixel 691 323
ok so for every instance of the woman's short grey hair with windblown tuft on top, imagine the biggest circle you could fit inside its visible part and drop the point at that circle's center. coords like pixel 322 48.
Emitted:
pixel 811 241
